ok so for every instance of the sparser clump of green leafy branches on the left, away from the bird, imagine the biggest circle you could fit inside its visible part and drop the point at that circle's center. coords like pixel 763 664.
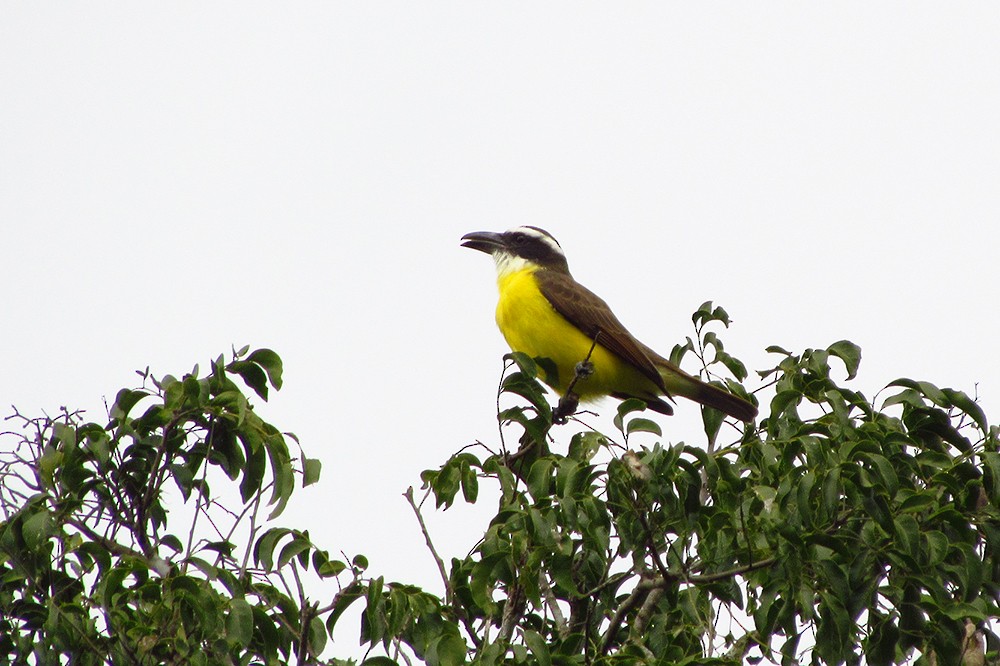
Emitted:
pixel 93 563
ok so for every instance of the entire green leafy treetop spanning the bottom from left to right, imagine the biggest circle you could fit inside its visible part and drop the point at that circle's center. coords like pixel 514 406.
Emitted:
pixel 833 531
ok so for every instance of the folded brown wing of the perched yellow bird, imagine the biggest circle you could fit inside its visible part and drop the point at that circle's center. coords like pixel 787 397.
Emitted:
pixel 585 310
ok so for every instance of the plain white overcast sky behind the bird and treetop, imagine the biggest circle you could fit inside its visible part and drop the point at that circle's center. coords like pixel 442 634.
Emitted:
pixel 179 178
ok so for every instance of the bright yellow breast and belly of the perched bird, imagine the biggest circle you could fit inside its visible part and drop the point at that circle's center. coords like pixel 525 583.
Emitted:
pixel 531 325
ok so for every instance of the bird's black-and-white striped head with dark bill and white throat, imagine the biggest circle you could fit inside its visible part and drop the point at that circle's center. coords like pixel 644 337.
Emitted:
pixel 519 248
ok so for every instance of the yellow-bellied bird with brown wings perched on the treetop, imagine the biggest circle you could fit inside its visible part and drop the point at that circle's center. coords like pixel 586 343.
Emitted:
pixel 545 313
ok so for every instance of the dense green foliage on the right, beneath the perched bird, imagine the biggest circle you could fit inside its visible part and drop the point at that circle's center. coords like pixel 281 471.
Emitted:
pixel 835 532
